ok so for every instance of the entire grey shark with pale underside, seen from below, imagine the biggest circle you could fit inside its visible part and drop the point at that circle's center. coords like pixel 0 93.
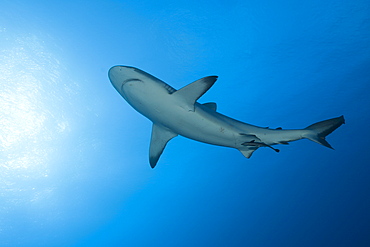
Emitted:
pixel 177 112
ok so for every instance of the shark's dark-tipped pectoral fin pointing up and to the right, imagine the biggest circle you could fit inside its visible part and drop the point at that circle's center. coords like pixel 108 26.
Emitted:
pixel 192 92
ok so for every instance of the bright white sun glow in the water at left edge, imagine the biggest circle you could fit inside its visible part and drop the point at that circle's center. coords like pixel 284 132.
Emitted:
pixel 29 118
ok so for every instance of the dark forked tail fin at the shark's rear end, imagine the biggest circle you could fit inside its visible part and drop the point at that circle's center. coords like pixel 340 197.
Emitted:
pixel 321 129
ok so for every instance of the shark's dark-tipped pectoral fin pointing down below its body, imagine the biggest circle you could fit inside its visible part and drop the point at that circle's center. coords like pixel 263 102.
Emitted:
pixel 160 136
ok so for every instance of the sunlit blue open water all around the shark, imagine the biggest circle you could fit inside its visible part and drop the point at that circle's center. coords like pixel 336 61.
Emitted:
pixel 74 165
